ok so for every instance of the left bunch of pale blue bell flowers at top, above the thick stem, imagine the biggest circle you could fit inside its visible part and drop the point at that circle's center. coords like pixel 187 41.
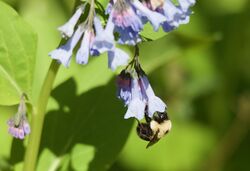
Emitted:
pixel 95 40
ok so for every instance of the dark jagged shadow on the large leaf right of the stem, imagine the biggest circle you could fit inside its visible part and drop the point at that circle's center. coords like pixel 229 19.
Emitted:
pixel 94 118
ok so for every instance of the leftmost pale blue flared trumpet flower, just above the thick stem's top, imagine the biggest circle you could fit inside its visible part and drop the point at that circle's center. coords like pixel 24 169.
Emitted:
pixel 63 53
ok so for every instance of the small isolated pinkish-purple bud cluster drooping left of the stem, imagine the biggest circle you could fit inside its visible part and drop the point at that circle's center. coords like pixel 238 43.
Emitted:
pixel 18 124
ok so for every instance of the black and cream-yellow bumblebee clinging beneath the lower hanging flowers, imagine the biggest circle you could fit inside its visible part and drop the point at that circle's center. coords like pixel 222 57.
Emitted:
pixel 154 128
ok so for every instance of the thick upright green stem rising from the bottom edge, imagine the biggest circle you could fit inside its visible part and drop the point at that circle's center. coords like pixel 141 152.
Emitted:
pixel 38 118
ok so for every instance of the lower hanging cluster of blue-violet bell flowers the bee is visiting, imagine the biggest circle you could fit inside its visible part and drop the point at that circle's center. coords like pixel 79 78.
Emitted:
pixel 136 92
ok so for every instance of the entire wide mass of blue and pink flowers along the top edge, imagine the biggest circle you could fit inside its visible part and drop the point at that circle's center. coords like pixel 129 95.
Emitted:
pixel 126 18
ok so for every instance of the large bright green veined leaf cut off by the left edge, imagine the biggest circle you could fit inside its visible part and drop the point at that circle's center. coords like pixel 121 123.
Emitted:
pixel 17 56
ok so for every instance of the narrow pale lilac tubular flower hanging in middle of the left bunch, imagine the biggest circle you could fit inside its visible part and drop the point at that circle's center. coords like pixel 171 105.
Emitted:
pixel 82 54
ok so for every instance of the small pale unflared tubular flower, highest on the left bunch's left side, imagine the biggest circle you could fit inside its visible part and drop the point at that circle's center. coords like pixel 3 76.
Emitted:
pixel 67 29
